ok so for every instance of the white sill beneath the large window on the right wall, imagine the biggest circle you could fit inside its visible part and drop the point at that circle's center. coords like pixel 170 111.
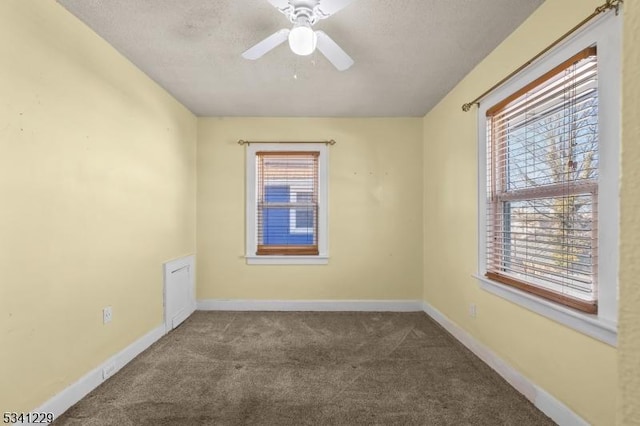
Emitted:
pixel 591 325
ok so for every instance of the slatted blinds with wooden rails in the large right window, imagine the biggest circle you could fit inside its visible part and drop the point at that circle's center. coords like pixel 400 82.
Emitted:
pixel 542 185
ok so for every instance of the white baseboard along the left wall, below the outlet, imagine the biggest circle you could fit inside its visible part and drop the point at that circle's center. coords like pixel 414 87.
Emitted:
pixel 78 390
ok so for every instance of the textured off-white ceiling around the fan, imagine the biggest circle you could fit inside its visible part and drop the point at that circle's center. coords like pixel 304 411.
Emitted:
pixel 408 53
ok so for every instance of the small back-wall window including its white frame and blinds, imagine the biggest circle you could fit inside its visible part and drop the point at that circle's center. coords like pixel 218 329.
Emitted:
pixel 286 203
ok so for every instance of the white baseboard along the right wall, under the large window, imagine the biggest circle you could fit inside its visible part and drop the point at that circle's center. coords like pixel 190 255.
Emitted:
pixel 543 400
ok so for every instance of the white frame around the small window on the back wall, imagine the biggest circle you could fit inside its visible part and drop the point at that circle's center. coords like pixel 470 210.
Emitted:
pixel 251 243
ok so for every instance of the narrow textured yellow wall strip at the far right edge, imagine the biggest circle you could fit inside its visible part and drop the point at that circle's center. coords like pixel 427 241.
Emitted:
pixel 629 321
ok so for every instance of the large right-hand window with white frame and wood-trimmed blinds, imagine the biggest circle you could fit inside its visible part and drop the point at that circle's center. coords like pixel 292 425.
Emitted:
pixel 548 190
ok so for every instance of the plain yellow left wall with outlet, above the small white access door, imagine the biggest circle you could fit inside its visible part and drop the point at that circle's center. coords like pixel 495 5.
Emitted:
pixel 97 189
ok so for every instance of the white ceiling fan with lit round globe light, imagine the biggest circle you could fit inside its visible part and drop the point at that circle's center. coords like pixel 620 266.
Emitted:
pixel 302 39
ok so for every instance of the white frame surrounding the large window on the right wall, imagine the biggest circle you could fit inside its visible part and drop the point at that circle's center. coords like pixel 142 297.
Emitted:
pixel 605 33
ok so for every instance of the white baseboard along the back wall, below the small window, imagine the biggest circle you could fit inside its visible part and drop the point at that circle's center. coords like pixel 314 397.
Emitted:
pixel 310 305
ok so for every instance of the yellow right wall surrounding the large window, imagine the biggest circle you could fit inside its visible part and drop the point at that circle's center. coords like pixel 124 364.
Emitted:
pixel 578 370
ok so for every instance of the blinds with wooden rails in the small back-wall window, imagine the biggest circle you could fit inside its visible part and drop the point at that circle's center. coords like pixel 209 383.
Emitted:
pixel 287 203
